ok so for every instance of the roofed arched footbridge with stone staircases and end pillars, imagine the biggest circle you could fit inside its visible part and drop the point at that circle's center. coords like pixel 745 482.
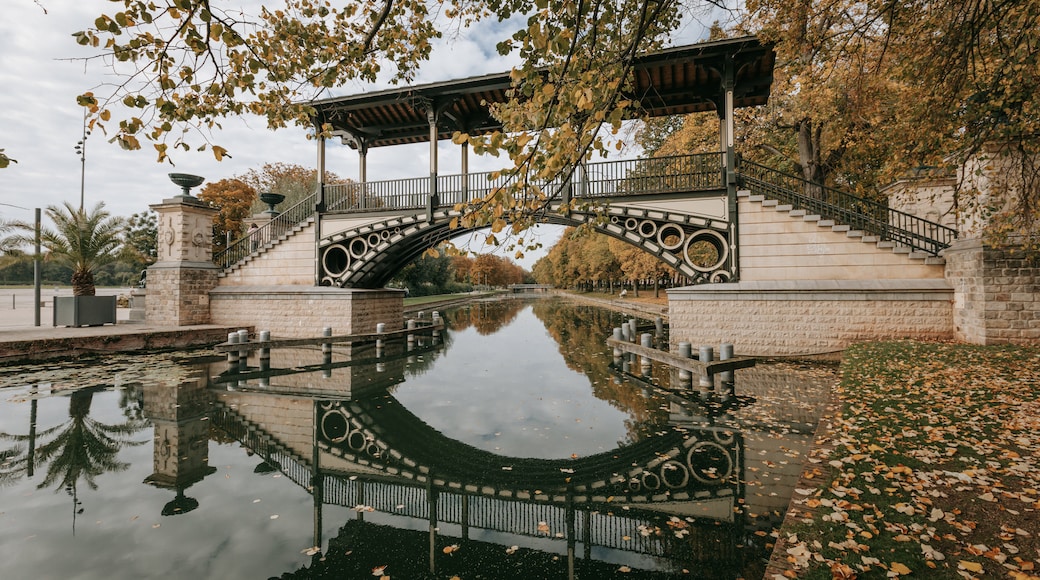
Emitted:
pixel 765 252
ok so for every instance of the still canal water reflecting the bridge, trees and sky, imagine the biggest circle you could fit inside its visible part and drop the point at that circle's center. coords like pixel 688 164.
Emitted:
pixel 511 445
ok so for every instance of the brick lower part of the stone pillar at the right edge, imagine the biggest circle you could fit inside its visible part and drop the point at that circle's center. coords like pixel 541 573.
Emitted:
pixel 996 295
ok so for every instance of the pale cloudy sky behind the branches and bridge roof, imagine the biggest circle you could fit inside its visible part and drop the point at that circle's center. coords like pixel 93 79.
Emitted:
pixel 43 70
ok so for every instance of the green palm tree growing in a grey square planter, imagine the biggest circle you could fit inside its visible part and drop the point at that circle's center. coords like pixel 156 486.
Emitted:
pixel 85 242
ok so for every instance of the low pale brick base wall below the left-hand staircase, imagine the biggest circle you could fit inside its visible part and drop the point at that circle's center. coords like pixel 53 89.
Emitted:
pixel 303 312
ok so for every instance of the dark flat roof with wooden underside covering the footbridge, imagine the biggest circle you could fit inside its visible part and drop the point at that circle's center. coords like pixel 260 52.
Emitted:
pixel 673 82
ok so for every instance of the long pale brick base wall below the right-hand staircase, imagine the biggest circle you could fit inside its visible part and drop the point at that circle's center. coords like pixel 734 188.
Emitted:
pixel 810 318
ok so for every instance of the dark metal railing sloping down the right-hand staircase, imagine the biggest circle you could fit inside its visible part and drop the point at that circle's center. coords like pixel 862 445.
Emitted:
pixel 871 218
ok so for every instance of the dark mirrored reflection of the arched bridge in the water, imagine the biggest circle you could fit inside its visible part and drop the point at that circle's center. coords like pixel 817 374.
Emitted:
pixel 677 499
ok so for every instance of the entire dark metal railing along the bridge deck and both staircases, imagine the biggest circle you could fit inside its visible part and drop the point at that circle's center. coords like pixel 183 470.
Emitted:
pixel 612 179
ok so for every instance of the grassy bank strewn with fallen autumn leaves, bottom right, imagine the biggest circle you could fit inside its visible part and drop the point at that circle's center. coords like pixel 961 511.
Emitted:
pixel 930 471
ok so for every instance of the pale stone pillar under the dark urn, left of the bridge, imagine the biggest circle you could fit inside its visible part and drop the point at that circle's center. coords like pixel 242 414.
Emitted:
pixel 180 281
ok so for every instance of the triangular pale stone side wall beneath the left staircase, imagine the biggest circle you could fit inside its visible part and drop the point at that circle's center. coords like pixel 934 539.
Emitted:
pixel 292 262
